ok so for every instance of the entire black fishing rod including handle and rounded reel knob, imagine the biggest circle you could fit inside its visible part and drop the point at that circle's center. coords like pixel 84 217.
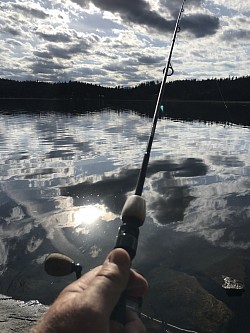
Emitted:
pixel 134 210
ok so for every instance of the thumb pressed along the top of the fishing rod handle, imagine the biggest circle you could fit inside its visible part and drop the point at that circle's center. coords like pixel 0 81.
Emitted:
pixel 111 280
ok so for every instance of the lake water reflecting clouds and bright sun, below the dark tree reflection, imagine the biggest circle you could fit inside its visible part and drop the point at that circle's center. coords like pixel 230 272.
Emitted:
pixel 64 180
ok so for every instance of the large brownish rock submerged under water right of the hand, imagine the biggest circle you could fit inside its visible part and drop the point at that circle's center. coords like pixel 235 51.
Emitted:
pixel 179 299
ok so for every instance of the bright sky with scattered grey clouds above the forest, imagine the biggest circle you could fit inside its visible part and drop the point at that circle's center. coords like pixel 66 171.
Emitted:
pixel 122 42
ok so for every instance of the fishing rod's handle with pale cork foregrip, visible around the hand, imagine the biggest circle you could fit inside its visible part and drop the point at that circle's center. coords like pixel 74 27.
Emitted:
pixel 133 216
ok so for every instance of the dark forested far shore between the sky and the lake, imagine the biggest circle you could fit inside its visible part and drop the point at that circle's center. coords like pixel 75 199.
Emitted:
pixel 229 89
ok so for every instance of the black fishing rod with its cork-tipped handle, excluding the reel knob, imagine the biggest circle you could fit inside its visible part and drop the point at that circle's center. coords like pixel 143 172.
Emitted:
pixel 134 210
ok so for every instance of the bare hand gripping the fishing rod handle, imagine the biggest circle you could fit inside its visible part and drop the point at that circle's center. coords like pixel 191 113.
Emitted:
pixel 85 305
